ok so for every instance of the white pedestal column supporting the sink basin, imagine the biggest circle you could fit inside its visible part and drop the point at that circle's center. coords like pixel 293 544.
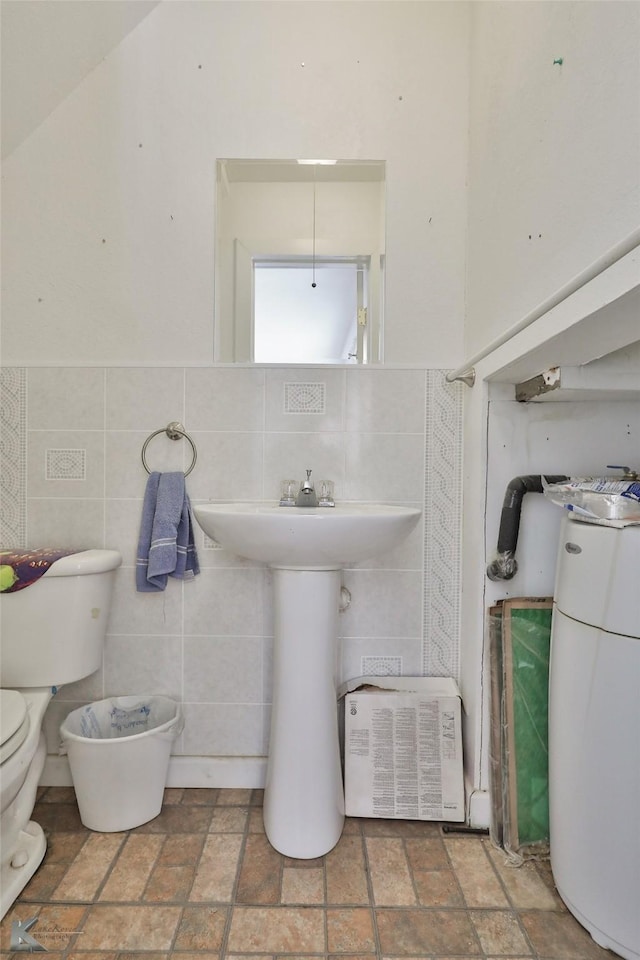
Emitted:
pixel 304 795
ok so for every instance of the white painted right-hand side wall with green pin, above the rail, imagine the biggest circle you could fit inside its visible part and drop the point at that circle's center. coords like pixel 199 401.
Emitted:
pixel 554 150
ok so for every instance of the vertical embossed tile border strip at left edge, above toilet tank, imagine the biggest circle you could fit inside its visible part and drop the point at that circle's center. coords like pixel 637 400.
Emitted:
pixel 13 456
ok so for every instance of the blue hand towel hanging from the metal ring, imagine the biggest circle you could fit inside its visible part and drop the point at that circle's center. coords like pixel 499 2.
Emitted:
pixel 166 545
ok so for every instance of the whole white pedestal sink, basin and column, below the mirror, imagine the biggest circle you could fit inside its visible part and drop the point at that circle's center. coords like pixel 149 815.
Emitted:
pixel 306 547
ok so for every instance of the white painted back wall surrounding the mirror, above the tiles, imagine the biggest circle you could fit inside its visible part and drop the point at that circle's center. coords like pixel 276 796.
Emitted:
pixel 109 204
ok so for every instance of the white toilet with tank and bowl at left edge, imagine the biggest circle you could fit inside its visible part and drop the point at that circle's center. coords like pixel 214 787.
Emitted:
pixel 52 632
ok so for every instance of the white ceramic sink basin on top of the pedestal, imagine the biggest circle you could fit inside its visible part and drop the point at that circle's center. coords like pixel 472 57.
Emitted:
pixel 309 538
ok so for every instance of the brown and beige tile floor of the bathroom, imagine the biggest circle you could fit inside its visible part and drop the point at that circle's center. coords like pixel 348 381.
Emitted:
pixel 201 882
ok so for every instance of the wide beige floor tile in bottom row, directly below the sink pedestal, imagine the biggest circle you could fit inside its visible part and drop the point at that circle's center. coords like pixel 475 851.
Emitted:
pixel 277 930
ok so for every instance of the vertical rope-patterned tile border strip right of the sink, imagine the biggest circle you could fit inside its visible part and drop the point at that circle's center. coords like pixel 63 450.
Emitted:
pixel 442 526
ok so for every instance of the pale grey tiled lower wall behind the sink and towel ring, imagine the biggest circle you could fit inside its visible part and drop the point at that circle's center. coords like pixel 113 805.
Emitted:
pixel 383 434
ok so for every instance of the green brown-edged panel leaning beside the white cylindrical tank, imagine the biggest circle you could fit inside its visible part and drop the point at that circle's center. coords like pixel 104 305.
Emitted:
pixel 524 629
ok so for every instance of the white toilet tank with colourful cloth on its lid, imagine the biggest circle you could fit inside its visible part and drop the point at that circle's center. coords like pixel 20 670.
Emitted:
pixel 52 632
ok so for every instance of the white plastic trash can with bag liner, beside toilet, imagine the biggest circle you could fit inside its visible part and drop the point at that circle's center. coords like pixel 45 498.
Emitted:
pixel 119 757
